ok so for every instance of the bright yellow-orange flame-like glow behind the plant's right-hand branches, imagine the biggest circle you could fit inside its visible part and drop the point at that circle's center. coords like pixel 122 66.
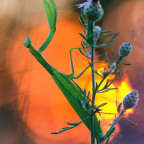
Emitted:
pixel 110 97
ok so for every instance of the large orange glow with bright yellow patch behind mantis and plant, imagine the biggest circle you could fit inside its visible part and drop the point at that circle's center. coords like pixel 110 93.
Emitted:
pixel 48 109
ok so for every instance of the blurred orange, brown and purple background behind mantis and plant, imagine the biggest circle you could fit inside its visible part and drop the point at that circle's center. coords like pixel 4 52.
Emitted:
pixel 31 105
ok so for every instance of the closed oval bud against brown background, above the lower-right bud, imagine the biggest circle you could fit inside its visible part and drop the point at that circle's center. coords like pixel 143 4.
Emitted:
pixel 125 49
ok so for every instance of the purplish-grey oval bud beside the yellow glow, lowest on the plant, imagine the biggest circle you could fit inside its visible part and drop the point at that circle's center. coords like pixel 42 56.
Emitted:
pixel 130 100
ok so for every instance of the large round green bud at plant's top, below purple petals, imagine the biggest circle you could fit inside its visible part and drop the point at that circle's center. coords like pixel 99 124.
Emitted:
pixel 93 11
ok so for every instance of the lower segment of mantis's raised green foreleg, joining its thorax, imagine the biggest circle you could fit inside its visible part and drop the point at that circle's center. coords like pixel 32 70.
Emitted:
pixel 47 41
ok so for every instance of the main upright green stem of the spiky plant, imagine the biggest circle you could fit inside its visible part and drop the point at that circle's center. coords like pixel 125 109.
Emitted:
pixel 90 32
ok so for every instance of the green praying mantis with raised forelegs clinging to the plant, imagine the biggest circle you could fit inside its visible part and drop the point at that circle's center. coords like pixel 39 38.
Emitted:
pixel 71 90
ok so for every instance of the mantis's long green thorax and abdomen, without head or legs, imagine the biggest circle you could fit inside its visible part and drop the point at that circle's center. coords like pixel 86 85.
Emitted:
pixel 69 89
